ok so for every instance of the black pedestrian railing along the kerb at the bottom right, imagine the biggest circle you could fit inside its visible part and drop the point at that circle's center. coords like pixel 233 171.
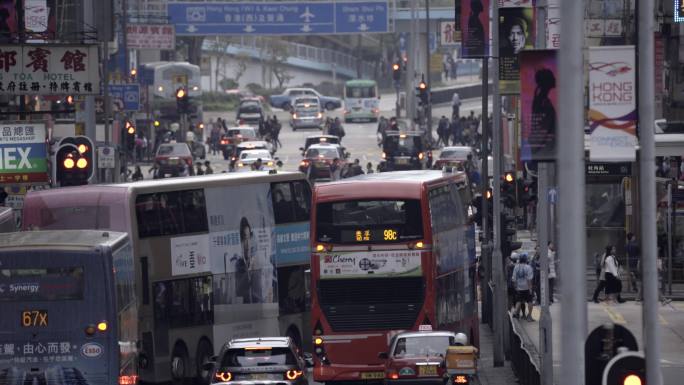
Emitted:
pixel 524 357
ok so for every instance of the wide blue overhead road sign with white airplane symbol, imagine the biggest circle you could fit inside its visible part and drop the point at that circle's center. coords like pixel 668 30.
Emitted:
pixel 279 18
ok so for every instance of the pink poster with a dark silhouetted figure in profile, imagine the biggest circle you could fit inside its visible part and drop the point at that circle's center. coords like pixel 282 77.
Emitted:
pixel 539 104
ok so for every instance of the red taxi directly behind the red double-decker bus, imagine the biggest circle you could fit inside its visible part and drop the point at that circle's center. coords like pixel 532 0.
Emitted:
pixel 418 357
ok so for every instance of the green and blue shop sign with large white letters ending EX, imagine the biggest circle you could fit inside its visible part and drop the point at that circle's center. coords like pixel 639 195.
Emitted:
pixel 23 153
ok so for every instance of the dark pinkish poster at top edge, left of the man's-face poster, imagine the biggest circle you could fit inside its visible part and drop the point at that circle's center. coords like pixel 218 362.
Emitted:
pixel 474 28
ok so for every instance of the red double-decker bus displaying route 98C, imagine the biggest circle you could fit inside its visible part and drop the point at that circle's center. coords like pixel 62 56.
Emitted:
pixel 390 252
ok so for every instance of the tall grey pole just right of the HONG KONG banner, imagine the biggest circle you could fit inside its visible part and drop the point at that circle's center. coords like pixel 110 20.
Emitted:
pixel 647 193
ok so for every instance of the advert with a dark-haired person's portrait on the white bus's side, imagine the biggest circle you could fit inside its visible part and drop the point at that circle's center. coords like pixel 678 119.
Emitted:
pixel 242 244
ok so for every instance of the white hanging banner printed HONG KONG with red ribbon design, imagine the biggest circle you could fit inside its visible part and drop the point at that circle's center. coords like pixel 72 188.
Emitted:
pixel 612 104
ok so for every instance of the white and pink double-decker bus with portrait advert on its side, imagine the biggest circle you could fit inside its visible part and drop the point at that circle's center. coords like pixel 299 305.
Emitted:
pixel 216 257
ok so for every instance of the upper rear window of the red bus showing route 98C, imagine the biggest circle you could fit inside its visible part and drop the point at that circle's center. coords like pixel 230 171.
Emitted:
pixel 341 222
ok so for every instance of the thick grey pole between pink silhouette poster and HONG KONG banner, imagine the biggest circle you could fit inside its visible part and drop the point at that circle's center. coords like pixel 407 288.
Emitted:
pixel 570 158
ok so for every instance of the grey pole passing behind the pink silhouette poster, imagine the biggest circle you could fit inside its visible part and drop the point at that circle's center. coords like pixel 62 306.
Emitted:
pixel 543 235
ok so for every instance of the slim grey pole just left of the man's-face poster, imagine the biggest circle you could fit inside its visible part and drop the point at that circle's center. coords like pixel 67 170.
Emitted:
pixel 498 278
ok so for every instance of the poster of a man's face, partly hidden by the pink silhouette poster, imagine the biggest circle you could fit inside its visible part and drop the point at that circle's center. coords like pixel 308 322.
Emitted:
pixel 516 33
